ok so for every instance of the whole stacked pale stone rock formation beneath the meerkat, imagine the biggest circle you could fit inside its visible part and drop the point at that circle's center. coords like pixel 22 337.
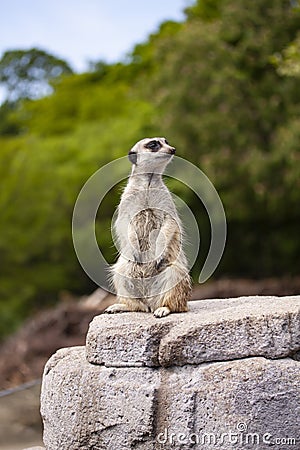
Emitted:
pixel 221 376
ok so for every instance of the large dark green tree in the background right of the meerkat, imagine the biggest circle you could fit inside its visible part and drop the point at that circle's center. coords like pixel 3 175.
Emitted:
pixel 222 101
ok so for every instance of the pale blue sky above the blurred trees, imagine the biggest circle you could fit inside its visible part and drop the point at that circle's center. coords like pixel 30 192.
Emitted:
pixel 83 30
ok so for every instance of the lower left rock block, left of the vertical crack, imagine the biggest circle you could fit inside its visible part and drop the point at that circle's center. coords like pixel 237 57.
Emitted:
pixel 90 402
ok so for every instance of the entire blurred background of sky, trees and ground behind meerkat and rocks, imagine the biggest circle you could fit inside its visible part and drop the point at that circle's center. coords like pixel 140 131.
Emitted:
pixel 80 83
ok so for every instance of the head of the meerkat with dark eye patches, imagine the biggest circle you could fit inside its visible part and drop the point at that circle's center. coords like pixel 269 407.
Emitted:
pixel 151 154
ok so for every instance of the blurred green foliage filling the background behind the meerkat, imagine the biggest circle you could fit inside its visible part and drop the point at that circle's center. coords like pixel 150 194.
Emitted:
pixel 211 85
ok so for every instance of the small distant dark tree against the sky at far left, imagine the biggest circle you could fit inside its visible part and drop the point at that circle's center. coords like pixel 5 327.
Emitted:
pixel 29 73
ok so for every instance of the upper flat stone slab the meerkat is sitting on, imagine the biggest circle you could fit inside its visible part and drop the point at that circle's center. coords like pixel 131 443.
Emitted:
pixel 212 330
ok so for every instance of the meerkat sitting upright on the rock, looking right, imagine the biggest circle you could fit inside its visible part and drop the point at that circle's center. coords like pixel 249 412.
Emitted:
pixel 151 273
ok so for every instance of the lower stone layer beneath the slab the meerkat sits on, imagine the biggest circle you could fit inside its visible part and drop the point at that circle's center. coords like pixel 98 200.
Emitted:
pixel 244 404
